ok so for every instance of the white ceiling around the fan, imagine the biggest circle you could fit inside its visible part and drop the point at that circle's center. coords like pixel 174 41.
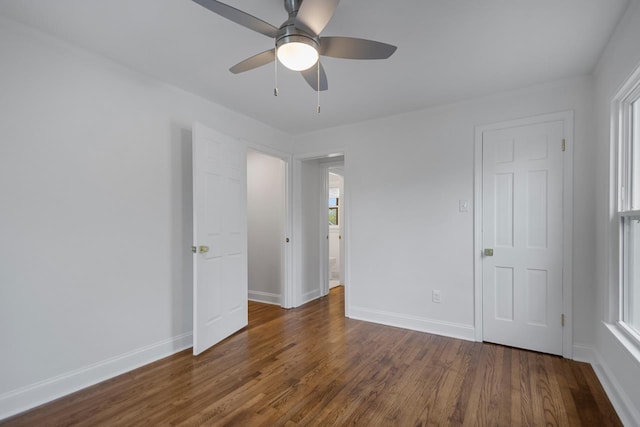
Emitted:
pixel 448 50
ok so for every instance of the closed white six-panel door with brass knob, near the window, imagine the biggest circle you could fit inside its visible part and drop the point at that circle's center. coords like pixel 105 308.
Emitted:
pixel 523 236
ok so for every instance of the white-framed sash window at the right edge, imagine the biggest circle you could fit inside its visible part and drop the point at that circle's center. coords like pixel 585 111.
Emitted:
pixel 627 115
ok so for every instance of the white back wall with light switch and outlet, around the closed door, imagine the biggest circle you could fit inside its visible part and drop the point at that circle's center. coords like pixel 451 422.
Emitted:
pixel 406 175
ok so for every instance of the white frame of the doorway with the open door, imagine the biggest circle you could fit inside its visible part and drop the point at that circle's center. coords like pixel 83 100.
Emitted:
pixel 286 295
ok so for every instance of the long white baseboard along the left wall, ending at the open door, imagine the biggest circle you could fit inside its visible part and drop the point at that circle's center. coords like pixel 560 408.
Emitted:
pixel 28 397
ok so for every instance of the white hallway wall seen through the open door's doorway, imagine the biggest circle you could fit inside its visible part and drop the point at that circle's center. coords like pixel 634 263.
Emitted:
pixel 265 216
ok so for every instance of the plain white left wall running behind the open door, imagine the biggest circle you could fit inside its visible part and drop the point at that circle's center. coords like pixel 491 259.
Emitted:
pixel 95 216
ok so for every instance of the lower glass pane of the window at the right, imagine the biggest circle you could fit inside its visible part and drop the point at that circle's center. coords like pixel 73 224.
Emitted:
pixel 631 273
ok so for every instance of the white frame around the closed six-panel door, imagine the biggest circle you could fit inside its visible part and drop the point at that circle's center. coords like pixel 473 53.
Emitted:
pixel 567 221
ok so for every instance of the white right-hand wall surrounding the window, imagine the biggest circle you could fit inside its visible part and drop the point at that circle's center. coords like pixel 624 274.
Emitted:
pixel 617 368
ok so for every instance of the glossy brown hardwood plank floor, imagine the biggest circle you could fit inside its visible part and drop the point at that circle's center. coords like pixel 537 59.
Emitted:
pixel 312 366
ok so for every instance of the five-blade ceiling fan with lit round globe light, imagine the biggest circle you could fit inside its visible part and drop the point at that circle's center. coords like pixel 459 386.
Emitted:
pixel 298 44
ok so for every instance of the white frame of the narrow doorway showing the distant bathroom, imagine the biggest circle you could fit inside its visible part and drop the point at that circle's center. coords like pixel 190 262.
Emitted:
pixel 296 282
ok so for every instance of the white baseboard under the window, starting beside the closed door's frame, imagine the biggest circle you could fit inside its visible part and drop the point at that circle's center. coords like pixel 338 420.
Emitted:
pixel 629 415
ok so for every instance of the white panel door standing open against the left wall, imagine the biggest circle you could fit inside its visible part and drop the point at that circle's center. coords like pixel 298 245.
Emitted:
pixel 220 237
